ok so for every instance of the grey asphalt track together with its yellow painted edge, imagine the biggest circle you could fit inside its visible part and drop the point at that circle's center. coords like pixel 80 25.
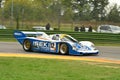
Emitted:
pixel 108 54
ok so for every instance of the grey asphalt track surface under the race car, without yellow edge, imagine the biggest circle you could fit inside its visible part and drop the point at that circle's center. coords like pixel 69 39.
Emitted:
pixel 106 52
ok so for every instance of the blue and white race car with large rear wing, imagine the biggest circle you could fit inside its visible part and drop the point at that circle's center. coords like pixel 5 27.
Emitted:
pixel 55 43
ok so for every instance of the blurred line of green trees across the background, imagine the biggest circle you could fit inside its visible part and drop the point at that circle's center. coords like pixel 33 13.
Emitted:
pixel 60 10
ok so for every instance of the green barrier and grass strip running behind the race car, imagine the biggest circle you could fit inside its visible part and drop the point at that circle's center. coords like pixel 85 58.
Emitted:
pixel 97 38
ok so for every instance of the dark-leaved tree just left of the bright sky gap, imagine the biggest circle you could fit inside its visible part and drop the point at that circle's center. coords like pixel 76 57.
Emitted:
pixel 98 6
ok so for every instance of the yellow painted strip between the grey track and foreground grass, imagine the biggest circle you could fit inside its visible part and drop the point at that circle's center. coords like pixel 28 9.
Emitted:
pixel 23 55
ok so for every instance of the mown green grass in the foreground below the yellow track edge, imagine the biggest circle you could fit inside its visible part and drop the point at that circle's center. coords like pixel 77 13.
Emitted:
pixel 50 69
